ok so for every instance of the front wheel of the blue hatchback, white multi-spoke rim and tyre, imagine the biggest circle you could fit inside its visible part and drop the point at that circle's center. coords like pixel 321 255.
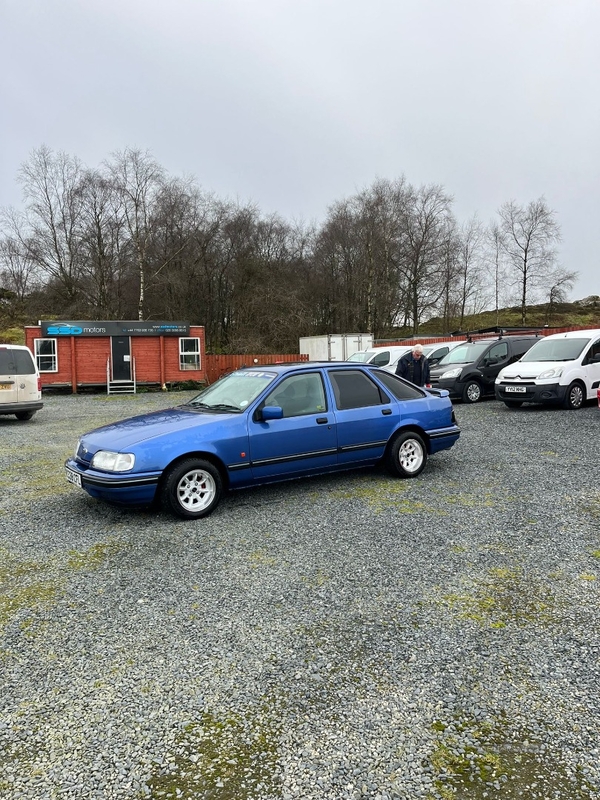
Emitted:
pixel 191 489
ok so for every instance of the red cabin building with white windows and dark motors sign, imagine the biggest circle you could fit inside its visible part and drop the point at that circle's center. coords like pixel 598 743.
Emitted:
pixel 118 354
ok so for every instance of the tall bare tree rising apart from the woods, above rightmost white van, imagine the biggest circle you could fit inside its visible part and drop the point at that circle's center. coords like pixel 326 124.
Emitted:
pixel 529 235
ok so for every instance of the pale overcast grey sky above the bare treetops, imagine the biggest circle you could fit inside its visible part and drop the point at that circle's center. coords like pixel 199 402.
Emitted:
pixel 295 104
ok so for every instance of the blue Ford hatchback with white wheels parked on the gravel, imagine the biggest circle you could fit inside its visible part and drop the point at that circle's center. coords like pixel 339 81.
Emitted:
pixel 261 425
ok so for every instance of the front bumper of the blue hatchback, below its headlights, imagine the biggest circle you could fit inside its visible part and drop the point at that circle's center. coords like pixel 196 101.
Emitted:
pixel 124 488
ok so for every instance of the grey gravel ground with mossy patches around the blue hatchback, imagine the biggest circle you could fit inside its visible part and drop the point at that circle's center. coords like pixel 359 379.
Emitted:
pixel 350 636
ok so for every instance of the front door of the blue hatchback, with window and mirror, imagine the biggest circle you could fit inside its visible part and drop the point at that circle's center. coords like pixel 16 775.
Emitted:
pixel 304 440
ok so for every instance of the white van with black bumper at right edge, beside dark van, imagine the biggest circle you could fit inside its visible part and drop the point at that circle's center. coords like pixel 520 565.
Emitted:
pixel 561 369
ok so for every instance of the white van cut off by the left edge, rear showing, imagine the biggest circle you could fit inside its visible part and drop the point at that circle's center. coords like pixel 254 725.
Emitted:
pixel 20 385
